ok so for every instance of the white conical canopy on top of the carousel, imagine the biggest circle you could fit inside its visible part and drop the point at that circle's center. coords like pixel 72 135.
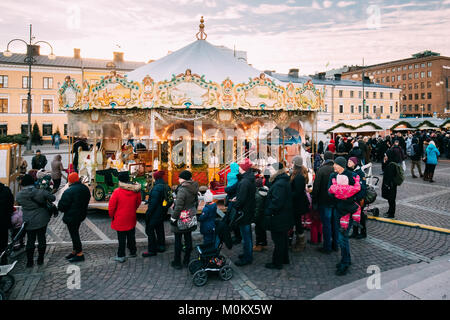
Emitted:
pixel 202 58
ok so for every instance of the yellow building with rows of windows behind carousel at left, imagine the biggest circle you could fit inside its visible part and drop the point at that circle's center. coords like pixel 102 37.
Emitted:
pixel 46 78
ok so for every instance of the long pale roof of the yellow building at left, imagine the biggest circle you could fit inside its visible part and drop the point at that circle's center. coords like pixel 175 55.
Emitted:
pixel 70 62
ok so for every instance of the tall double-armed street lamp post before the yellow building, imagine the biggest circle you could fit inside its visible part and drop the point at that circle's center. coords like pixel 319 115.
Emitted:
pixel 29 60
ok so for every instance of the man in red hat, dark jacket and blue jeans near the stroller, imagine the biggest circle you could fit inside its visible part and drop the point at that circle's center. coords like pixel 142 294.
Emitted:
pixel 245 202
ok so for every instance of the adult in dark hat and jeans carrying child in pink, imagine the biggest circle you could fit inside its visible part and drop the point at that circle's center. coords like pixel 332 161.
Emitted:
pixel 340 167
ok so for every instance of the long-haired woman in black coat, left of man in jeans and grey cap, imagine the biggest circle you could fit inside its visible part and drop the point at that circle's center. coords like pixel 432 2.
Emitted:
pixel 299 202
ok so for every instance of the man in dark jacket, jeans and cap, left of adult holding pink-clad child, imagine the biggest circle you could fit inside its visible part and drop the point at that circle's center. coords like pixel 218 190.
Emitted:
pixel 321 200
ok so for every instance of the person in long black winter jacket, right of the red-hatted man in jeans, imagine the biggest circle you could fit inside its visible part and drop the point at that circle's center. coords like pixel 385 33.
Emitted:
pixel 279 215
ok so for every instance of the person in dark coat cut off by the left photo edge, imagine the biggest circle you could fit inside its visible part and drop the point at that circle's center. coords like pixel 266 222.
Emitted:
pixel 6 210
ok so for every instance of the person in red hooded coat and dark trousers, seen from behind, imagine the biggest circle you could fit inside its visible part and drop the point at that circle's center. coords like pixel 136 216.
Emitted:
pixel 122 207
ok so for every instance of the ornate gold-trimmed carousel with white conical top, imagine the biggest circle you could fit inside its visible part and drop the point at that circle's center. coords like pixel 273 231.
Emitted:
pixel 198 108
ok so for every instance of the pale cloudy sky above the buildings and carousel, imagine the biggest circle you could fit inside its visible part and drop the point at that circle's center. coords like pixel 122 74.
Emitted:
pixel 311 35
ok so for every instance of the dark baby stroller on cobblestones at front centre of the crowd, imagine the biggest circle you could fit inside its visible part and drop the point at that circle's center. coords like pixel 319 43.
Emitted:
pixel 209 258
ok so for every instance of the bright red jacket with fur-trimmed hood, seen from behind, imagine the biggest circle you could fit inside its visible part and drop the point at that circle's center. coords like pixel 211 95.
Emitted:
pixel 122 206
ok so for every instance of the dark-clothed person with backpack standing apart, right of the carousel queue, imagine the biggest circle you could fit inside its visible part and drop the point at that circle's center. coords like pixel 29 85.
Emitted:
pixel 390 182
